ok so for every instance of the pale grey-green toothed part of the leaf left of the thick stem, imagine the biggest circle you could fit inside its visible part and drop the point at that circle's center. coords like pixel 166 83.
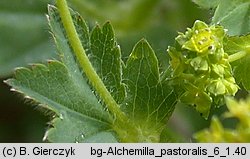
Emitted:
pixel 63 88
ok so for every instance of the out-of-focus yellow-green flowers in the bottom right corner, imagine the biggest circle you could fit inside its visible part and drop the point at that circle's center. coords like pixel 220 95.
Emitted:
pixel 217 133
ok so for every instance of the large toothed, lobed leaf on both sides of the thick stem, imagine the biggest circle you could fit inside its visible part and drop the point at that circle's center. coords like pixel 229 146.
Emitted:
pixel 62 86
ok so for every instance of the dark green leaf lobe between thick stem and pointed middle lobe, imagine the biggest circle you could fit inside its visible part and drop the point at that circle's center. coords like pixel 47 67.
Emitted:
pixel 105 56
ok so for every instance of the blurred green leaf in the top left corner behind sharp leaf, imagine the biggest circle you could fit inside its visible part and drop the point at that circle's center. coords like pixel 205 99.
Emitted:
pixel 23 34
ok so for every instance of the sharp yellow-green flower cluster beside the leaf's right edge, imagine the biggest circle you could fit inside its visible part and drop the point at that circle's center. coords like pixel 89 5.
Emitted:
pixel 199 62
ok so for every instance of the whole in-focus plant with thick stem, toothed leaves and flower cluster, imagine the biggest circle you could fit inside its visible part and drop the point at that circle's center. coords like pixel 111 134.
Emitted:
pixel 95 97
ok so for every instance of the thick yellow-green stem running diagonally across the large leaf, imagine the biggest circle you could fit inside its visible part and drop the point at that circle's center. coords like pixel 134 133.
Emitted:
pixel 85 63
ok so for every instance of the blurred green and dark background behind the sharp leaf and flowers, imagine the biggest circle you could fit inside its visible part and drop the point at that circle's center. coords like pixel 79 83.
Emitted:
pixel 25 39
